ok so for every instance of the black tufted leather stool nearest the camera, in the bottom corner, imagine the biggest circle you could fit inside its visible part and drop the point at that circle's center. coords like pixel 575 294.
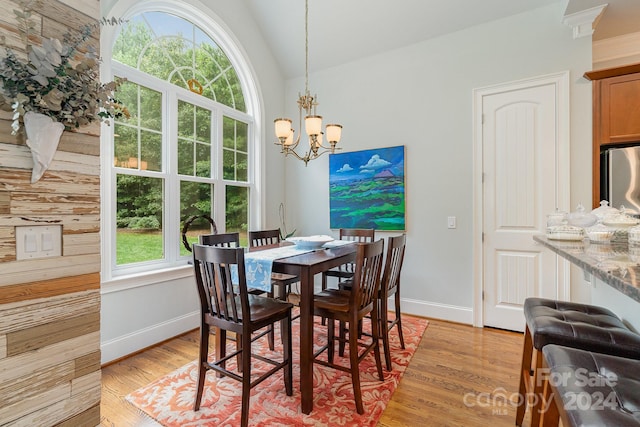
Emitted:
pixel 590 389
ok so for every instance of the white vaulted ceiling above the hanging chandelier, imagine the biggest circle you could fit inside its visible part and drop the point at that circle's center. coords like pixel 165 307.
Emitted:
pixel 341 31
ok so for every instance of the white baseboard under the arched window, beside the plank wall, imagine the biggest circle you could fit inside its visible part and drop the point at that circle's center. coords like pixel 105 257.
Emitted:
pixel 143 338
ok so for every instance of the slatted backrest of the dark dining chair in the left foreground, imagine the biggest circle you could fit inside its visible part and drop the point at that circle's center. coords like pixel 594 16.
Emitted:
pixel 219 297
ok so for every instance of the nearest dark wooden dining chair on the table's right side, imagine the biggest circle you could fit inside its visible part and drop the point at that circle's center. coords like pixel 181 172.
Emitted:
pixel 349 308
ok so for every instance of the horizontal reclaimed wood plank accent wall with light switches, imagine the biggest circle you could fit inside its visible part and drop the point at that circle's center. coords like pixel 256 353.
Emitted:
pixel 50 308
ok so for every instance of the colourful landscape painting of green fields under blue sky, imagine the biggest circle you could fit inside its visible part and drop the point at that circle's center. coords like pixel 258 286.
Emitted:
pixel 367 189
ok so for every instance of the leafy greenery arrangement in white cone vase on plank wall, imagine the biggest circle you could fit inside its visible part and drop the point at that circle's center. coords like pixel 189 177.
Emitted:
pixel 58 80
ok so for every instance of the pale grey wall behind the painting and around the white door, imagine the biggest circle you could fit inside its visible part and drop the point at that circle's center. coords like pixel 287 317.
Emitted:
pixel 421 96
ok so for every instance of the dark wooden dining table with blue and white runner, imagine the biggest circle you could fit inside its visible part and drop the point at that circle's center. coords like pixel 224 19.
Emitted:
pixel 306 266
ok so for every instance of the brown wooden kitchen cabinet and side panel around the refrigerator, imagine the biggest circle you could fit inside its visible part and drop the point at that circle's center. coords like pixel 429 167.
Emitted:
pixel 616 113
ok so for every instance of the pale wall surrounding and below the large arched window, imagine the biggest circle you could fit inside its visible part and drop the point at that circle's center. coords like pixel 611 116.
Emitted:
pixel 138 312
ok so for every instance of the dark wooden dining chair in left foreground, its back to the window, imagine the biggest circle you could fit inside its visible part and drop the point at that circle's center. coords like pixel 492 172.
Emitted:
pixel 230 307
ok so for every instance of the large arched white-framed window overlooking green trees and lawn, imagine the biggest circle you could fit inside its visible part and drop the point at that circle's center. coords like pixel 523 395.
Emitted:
pixel 187 148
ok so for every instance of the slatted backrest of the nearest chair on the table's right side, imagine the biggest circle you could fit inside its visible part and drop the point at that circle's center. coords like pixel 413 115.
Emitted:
pixel 366 280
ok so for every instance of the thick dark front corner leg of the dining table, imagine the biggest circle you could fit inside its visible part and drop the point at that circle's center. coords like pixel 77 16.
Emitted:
pixel 306 340
